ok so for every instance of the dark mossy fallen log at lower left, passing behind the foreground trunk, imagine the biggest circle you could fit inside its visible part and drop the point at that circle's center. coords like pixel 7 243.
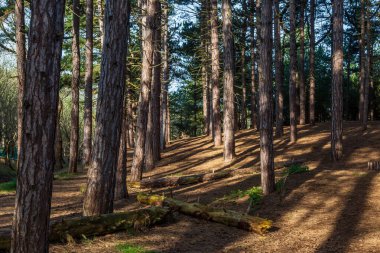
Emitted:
pixel 87 227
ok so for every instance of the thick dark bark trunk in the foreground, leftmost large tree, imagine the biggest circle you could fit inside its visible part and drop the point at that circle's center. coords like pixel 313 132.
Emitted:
pixel 37 158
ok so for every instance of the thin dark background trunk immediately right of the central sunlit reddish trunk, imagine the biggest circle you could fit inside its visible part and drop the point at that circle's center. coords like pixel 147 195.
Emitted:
pixel 243 70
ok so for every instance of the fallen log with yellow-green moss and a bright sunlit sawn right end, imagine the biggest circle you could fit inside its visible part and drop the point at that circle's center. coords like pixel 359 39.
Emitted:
pixel 226 217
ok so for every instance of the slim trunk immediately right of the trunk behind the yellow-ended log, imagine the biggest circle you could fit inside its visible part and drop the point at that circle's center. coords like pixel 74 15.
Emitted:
pixel 279 72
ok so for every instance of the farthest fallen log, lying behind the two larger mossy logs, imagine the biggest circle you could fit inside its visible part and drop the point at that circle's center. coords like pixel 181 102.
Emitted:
pixel 180 180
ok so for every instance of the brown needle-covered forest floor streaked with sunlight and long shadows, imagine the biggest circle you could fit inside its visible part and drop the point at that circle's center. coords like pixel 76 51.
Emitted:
pixel 335 207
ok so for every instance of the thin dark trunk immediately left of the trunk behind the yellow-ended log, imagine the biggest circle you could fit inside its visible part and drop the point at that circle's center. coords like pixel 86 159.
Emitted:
pixel 253 62
